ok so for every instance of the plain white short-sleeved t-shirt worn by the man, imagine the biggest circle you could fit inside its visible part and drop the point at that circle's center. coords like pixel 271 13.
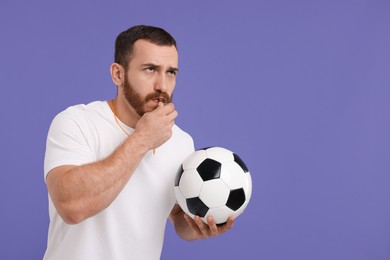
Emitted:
pixel 133 226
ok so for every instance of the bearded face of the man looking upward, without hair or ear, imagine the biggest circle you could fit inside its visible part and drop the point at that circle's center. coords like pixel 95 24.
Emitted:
pixel 151 76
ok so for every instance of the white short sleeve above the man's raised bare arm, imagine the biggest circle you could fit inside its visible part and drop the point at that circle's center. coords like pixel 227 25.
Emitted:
pixel 66 143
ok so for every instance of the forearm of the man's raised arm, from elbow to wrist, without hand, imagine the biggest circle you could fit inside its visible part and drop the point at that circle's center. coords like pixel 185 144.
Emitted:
pixel 83 191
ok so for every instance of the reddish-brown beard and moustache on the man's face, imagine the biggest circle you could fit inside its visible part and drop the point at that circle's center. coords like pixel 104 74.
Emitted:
pixel 137 102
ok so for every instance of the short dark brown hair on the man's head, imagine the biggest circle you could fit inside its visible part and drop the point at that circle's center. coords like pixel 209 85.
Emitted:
pixel 126 39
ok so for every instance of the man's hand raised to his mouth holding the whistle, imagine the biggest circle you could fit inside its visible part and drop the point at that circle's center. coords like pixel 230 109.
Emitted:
pixel 155 127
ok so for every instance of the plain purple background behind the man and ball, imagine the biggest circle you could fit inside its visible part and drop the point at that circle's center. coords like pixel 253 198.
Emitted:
pixel 299 89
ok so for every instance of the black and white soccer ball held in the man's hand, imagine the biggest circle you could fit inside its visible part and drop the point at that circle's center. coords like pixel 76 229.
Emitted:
pixel 213 182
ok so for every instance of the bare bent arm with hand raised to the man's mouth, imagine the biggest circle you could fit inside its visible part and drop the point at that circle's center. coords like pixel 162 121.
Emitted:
pixel 79 192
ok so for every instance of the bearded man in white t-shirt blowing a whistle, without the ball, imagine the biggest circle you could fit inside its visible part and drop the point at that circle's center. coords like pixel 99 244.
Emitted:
pixel 110 166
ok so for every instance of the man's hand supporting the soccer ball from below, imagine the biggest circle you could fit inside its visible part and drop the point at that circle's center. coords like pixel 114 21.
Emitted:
pixel 190 229
